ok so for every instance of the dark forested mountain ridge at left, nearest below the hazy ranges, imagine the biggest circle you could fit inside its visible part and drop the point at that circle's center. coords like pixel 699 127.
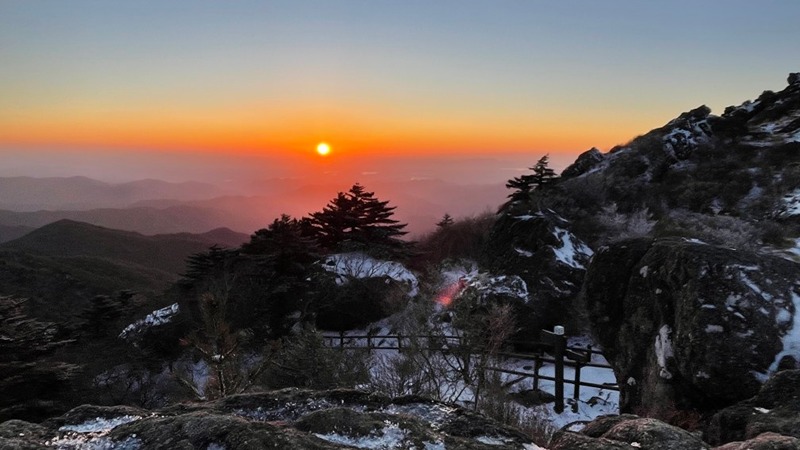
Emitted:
pixel 72 260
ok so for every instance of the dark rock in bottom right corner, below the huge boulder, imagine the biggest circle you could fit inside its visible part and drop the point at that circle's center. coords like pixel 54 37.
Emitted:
pixel 775 409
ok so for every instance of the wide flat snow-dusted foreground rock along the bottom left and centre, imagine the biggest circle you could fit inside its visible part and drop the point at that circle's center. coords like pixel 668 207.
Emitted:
pixel 291 418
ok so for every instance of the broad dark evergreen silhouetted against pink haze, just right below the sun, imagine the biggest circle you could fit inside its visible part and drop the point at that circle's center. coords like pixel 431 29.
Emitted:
pixel 356 220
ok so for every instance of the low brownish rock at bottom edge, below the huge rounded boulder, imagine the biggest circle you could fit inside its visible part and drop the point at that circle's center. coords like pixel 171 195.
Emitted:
pixel 627 432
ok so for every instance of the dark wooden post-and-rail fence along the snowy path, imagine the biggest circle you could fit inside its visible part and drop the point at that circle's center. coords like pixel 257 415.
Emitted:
pixel 560 355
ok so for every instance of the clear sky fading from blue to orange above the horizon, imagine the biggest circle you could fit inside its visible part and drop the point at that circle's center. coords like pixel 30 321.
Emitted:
pixel 377 77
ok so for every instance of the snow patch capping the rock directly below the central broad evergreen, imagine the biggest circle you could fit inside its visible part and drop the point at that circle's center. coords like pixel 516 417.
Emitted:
pixel 359 265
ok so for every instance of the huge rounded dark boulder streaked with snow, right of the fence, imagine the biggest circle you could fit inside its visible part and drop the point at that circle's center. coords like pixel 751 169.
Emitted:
pixel 691 326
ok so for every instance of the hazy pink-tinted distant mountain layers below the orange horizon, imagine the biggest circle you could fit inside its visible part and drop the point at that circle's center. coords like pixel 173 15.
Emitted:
pixel 157 207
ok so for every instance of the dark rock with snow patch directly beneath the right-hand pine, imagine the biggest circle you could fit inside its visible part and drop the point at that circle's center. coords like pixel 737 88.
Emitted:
pixel 541 250
